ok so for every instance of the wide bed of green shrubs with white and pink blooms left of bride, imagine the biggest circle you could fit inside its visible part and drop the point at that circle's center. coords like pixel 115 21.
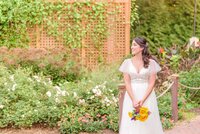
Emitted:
pixel 88 105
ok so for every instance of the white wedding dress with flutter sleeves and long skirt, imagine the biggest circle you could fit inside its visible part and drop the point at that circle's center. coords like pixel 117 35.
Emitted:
pixel 139 84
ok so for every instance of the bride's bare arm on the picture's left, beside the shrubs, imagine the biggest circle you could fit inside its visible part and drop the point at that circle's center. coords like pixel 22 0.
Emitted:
pixel 127 81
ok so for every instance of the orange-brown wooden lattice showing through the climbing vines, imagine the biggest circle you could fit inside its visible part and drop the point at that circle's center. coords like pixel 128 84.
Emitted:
pixel 116 46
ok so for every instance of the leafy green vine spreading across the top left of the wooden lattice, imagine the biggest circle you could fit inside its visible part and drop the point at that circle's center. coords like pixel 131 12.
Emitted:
pixel 69 22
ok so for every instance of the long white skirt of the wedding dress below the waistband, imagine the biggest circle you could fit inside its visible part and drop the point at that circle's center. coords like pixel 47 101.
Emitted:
pixel 153 124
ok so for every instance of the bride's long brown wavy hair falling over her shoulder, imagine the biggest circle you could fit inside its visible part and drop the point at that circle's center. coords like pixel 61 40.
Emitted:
pixel 142 42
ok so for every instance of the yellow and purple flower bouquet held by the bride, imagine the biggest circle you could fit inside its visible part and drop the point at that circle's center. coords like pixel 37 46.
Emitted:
pixel 141 115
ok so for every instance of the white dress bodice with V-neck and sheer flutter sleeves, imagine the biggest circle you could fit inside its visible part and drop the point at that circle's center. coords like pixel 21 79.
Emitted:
pixel 143 74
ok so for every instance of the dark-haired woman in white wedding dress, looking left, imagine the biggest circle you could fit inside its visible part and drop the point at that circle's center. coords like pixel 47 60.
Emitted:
pixel 139 76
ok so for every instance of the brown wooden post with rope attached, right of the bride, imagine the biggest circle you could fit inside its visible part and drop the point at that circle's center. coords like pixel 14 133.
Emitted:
pixel 174 93
